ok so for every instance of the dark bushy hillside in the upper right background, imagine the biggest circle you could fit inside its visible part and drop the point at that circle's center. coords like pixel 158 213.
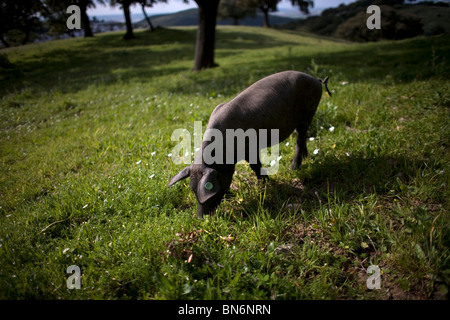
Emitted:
pixel 398 21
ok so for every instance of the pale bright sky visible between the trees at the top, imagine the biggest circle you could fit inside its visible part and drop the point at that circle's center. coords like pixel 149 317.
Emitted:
pixel 285 7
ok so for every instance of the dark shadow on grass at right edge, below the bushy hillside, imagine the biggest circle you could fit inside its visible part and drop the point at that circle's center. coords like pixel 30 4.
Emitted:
pixel 404 61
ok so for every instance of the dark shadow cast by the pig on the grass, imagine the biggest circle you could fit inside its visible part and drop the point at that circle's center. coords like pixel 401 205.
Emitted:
pixel 332 179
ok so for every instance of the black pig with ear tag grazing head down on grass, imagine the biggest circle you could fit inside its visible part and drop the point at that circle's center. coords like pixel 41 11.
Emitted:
pixel 285 101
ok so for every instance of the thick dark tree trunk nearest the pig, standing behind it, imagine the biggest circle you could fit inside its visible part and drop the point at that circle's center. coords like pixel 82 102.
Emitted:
pixel 206 33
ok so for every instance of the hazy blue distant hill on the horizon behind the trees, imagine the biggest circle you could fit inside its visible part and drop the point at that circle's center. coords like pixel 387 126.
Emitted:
pixel 190 18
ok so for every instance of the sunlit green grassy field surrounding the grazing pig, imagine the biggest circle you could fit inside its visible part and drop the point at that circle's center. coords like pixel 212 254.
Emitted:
pixel 85 138
